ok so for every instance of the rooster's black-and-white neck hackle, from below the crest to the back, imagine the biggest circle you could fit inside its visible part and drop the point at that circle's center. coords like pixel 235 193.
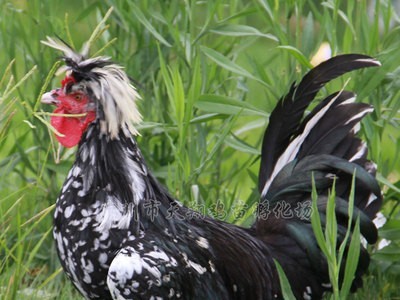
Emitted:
pixel 114 172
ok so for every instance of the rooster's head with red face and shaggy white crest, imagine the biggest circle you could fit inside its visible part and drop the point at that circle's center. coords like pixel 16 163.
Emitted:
pixel 94 89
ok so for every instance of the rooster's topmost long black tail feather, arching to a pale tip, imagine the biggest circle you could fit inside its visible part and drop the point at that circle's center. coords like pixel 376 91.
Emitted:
pixel 286 117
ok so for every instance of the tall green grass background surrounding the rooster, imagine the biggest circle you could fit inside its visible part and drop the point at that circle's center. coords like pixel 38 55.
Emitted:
pixel 209 73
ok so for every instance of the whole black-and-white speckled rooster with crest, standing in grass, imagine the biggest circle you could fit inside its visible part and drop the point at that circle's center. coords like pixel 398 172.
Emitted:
pixel 111 248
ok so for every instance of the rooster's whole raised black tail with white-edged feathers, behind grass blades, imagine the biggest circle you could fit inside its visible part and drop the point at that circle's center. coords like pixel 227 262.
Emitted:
pixel 322 145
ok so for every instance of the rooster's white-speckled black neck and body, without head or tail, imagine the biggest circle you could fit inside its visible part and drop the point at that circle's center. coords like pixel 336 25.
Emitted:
pixel 174 258
